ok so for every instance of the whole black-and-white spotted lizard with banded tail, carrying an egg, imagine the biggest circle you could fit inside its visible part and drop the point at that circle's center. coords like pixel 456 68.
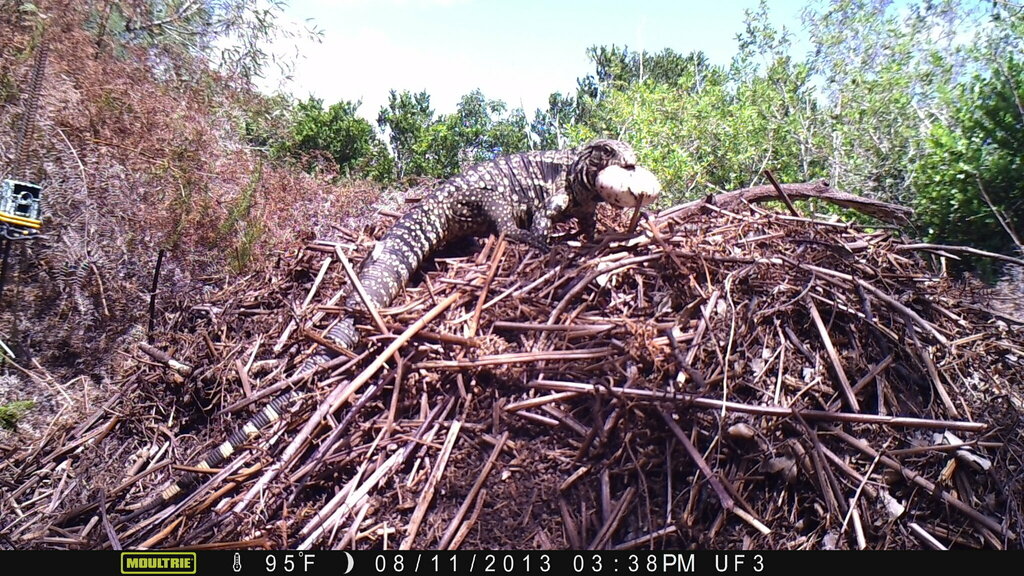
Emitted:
pixel 521 195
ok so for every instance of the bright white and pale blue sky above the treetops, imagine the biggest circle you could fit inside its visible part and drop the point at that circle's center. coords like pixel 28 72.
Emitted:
pixel 519 52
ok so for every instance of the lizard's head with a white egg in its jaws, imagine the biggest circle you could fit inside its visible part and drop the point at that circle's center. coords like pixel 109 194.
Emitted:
pixel 610 169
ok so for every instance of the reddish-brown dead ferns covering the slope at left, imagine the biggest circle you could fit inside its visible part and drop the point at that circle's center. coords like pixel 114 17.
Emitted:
pixel 132 163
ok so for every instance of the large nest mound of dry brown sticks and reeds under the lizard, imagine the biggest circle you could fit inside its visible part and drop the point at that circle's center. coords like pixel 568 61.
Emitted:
pixel 723 378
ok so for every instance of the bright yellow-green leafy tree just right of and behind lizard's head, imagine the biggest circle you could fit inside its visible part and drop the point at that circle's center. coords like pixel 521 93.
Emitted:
pixel 704 126
